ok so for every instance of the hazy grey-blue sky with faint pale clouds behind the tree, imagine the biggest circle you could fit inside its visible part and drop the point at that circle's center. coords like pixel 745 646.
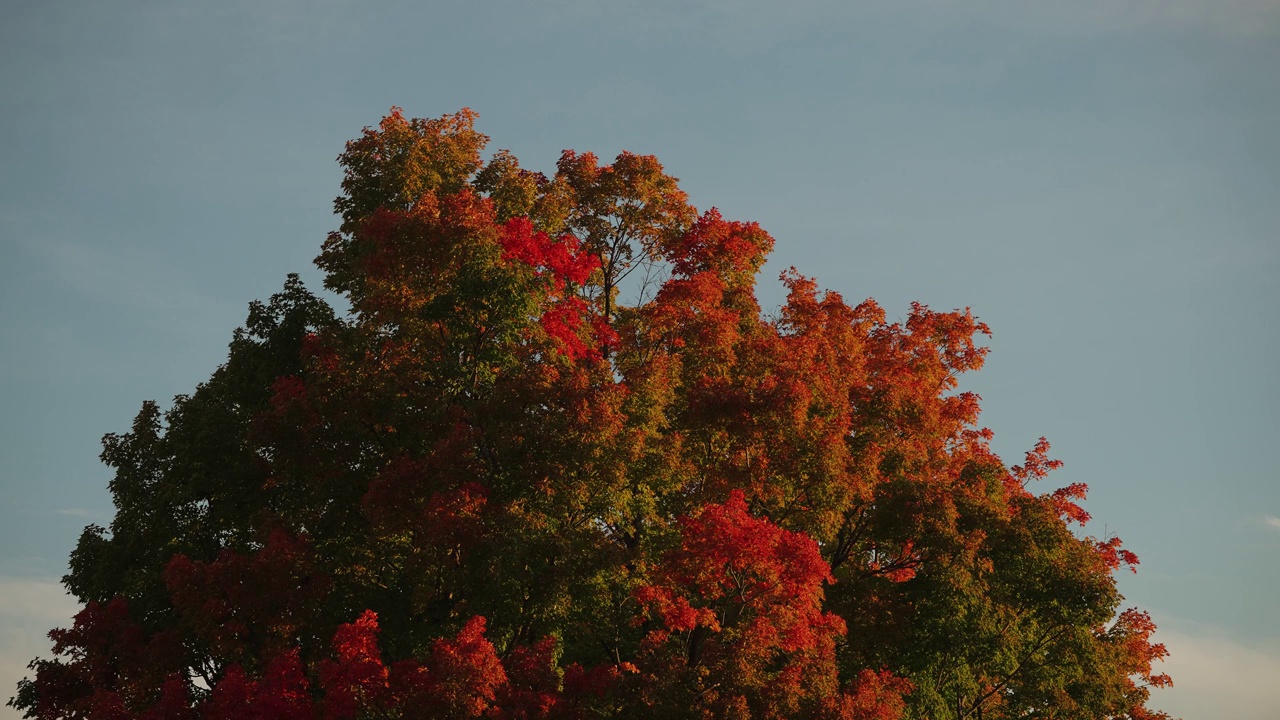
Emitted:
pixel 1098 180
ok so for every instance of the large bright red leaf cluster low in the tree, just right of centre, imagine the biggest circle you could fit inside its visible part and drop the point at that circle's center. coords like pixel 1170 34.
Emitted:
pixel 739 614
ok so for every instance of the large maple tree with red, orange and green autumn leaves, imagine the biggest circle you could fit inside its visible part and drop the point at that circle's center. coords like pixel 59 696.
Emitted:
pixel 500 487
